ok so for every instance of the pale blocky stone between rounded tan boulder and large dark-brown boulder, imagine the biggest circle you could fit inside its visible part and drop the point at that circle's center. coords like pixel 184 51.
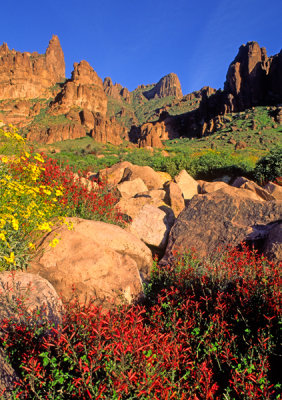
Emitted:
pixel 152 225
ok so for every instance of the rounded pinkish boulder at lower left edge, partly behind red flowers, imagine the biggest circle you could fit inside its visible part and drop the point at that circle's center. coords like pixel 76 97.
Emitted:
pixel 40 300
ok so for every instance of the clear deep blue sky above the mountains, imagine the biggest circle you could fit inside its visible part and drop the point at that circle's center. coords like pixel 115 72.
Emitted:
pixel 137 42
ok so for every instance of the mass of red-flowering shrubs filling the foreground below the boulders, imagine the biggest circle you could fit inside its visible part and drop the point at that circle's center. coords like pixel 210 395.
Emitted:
pixel 204 332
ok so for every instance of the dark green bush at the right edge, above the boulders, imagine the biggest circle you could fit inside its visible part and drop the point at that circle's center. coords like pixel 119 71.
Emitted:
pixel 269 167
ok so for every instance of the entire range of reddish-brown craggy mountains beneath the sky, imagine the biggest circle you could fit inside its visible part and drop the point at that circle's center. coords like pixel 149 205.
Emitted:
pixel 35 96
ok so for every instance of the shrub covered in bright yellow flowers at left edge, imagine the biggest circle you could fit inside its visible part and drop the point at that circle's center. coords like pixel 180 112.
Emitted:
pixel 25 205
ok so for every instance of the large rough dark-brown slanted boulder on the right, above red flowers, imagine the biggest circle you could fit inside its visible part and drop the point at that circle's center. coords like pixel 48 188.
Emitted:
pixel 215 220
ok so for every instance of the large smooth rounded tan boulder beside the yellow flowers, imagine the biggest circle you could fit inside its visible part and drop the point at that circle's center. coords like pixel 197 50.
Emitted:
pixel 102 261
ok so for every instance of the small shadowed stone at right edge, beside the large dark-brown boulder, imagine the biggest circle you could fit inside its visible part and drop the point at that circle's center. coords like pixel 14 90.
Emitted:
pixel 272 247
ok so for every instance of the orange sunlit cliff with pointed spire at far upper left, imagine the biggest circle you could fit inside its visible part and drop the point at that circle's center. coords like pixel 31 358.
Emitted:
pixel 29 75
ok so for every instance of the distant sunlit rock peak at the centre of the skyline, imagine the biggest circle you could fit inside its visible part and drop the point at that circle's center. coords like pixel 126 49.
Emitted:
pixel 169 85
